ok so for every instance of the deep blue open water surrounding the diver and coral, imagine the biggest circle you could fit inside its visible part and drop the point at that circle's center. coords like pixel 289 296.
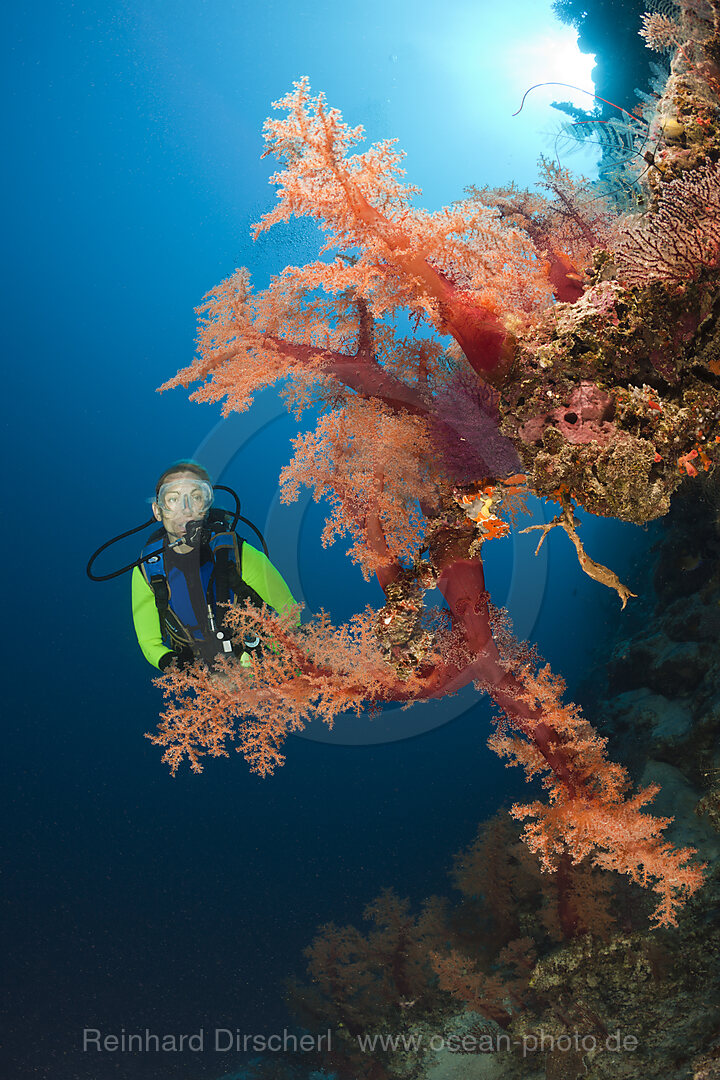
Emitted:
pixel 134 900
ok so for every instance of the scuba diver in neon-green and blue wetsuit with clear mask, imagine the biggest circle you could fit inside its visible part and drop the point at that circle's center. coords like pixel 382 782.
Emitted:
pixel 192 566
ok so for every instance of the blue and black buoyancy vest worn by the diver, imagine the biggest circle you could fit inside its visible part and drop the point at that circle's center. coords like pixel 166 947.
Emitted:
pixel 220 569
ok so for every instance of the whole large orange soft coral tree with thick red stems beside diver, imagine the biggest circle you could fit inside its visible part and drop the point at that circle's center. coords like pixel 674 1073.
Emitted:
pixel 410 454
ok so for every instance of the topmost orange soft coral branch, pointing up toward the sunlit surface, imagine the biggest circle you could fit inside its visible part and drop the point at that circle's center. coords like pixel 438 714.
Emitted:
pixel 361 204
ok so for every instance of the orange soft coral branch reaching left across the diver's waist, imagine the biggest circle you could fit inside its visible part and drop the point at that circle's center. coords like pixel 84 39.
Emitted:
pixel 315 672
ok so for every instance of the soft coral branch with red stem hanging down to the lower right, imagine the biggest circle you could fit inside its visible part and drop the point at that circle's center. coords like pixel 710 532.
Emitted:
pixel 591 814
